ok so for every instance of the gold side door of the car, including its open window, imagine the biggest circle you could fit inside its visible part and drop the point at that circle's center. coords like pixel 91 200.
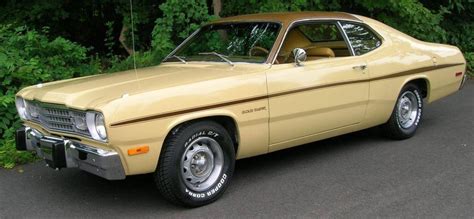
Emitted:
pixel 327 92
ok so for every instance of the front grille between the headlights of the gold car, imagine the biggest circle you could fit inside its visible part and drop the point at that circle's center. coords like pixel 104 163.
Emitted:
pixel 57 117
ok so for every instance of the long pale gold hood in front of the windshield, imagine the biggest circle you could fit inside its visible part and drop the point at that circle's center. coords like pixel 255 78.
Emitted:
pixel 92 92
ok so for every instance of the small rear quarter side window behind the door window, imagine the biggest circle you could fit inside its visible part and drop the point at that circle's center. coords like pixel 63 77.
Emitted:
pixel 363 40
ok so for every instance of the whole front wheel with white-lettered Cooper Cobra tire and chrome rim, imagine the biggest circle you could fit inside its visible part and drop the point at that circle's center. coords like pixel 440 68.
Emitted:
pixel 196 164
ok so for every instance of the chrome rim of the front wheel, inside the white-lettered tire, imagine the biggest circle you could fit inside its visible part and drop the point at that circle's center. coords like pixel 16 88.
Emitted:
pixel 202 164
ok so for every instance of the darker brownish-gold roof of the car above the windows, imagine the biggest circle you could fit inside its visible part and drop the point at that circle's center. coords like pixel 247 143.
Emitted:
pixel 290 17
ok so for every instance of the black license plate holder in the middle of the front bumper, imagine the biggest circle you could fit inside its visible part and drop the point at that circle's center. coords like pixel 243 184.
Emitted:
pixel 54 153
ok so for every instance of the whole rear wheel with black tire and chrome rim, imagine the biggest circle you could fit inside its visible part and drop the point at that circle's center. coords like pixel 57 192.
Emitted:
pixel 406 115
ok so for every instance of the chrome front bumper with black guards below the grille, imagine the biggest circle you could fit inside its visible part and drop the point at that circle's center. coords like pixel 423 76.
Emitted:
pixel 63 153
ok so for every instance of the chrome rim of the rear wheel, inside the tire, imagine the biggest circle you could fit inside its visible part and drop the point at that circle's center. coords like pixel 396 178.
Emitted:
pixel 407 109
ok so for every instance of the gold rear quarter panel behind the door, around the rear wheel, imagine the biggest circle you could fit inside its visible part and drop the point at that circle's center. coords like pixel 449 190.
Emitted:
pixel 402 59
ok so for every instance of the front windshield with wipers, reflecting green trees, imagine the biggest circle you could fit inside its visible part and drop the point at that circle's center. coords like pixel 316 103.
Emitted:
pixel 236 42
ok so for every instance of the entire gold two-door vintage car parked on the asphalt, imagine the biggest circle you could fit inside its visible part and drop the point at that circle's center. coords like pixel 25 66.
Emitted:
pixel 238 87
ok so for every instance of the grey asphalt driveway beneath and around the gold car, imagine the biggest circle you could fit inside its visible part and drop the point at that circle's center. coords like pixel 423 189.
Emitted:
pixel 357 175
